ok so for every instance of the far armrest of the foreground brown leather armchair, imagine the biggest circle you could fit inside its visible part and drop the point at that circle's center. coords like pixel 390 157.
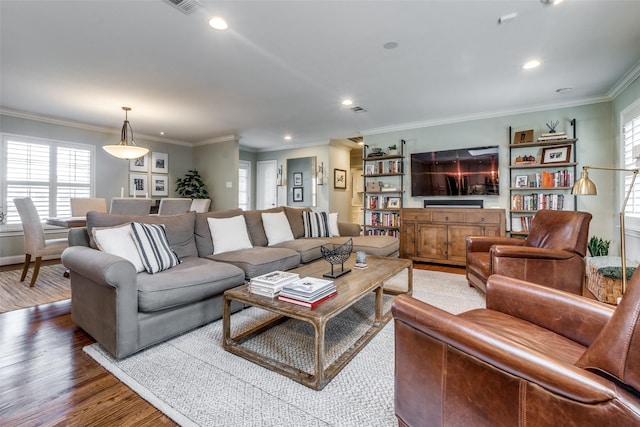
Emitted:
pixel 578 318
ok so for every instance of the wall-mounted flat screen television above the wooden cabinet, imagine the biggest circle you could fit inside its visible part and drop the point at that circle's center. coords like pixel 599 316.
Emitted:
pixel 460 172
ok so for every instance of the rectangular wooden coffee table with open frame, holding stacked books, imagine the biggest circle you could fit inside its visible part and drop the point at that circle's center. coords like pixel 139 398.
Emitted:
pixel 352 287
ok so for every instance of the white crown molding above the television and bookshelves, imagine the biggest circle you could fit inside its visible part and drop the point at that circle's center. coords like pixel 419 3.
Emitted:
pixel 488 115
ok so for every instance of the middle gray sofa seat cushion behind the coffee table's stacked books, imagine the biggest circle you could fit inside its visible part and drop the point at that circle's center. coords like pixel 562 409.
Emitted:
pixel 260 260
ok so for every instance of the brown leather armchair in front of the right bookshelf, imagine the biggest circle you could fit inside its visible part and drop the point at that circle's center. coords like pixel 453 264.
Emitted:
pixel 553 253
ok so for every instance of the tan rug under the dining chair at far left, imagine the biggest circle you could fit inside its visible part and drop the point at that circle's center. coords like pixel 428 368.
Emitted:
pixel 50 286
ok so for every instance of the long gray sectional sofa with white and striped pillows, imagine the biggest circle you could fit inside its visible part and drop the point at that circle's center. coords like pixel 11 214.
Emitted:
pixel 126 311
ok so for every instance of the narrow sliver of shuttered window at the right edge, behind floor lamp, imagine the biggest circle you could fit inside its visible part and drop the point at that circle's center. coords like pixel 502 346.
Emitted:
pixel 631 144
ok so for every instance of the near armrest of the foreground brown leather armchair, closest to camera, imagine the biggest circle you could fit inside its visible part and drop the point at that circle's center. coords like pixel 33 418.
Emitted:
pixel 561 378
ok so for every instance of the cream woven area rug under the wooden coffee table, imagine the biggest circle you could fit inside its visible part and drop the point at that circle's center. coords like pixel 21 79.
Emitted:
pixel 196 383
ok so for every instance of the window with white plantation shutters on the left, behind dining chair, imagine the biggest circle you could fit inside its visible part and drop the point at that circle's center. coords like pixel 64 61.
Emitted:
pixel 49 172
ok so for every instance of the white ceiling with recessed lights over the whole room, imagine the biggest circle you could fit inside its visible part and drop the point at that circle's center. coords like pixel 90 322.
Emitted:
pixel 284 66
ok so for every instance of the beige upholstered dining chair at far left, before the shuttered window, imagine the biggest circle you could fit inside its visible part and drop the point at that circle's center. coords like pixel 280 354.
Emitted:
pixel 35 243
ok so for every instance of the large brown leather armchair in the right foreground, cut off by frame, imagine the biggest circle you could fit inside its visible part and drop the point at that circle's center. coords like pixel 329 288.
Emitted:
pixel 534 356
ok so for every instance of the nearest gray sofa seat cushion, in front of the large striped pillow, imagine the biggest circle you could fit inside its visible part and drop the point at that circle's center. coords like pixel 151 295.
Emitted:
pixel 196 279
